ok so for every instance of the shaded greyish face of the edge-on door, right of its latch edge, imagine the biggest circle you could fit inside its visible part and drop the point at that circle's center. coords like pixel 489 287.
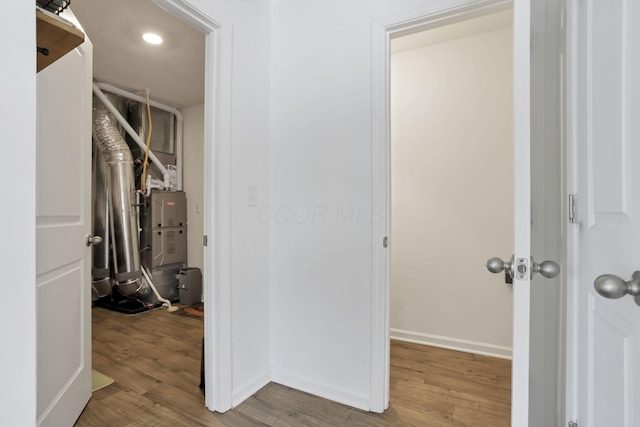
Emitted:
pixel 548 215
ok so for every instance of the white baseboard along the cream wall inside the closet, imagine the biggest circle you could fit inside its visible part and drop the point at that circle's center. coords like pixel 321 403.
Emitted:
pixel 452 343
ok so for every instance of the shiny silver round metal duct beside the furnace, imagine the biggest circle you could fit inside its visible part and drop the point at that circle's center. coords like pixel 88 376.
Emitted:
pixel 121 214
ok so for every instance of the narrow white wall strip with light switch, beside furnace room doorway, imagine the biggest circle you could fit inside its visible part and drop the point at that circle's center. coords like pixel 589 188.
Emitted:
pixel 250 165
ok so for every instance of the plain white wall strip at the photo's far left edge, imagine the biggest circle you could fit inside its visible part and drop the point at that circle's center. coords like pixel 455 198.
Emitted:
pixel 17 246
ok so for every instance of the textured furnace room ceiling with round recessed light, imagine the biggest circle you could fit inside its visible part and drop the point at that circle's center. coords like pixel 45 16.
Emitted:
pixel 173 71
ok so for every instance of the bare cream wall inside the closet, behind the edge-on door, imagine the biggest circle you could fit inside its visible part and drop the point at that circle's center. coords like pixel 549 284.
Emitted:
pixel 452 192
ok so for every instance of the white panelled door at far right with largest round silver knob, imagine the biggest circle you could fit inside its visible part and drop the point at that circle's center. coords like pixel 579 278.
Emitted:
pixel 608 185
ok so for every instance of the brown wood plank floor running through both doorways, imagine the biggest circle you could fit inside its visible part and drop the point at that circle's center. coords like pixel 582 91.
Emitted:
pixel 154 358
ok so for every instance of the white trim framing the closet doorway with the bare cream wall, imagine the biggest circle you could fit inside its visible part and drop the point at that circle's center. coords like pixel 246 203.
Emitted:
pixel 441 13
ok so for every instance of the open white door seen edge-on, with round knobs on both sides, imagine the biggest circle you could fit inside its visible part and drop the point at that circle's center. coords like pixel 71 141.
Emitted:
pixel 537 373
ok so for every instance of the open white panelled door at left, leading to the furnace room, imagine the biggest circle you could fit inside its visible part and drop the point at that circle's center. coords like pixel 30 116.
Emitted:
pixel 63 270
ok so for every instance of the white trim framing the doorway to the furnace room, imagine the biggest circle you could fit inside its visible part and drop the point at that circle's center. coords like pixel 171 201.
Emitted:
pixel 217 198
